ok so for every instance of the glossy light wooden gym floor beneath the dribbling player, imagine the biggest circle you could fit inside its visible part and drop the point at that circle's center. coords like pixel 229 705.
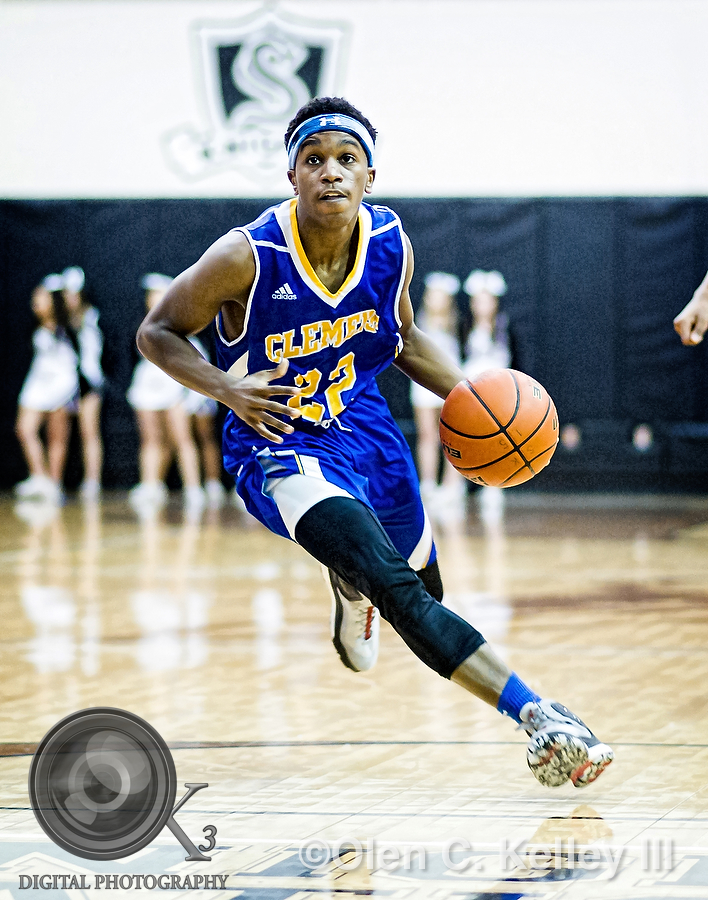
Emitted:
pixel 217 633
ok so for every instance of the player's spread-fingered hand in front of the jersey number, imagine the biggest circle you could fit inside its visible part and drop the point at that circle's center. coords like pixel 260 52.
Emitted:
pixel 250 400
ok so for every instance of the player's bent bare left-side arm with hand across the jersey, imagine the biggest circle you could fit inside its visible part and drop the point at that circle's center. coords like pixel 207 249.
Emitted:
pixel 223 275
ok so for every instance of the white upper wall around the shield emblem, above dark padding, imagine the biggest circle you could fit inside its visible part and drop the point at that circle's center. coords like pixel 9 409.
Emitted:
pixel 471 97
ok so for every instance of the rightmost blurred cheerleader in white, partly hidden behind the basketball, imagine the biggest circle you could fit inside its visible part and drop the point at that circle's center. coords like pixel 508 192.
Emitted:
pixel 488 346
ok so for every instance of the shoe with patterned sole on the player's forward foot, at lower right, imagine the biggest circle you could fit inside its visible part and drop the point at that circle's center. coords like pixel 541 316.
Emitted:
pixel 562 748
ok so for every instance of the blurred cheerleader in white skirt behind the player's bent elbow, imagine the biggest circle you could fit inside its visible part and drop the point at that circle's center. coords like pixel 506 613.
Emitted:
pixel 163 422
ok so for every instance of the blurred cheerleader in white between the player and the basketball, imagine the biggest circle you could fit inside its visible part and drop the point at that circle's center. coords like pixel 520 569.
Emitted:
pixel 437 317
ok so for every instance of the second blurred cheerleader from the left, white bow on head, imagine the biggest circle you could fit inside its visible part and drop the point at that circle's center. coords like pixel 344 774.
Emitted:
pixel 84 320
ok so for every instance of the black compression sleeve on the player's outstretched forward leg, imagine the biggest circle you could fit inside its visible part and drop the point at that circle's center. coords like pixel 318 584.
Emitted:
pixel 345 535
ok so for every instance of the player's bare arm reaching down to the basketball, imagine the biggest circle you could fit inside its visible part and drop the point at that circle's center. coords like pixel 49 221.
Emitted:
pixel 421 359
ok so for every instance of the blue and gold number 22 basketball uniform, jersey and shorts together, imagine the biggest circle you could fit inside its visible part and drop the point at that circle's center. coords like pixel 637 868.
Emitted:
pixel 336 344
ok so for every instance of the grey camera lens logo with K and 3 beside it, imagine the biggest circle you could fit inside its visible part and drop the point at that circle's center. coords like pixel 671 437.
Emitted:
pixel 102 785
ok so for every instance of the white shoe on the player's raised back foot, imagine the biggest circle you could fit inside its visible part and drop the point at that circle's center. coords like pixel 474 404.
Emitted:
pixel 355 624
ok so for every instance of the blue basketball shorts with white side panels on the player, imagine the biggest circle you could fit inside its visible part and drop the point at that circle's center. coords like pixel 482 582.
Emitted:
pixel 362 455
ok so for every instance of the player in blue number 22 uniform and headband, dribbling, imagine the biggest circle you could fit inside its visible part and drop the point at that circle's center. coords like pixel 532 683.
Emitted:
pixel 311 302
